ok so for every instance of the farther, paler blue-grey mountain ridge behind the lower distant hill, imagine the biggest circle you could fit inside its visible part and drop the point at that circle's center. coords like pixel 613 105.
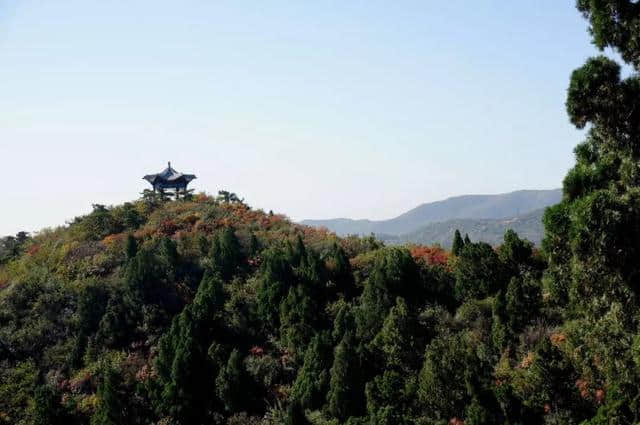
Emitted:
pixel 507 205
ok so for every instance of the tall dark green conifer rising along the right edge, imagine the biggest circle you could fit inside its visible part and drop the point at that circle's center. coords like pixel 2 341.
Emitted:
pixel 592 237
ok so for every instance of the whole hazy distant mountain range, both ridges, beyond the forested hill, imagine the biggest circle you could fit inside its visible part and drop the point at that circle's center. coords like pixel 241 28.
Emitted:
pixel 483 217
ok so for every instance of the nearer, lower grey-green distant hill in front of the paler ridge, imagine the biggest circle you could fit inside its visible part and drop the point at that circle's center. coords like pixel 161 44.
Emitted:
pixel 491 231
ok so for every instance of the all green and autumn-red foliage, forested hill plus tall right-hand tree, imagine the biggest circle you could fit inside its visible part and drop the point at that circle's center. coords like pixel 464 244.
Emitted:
pixel 204 311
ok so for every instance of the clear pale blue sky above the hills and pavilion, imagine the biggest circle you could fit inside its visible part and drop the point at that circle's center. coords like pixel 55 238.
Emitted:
pixel 314 109
